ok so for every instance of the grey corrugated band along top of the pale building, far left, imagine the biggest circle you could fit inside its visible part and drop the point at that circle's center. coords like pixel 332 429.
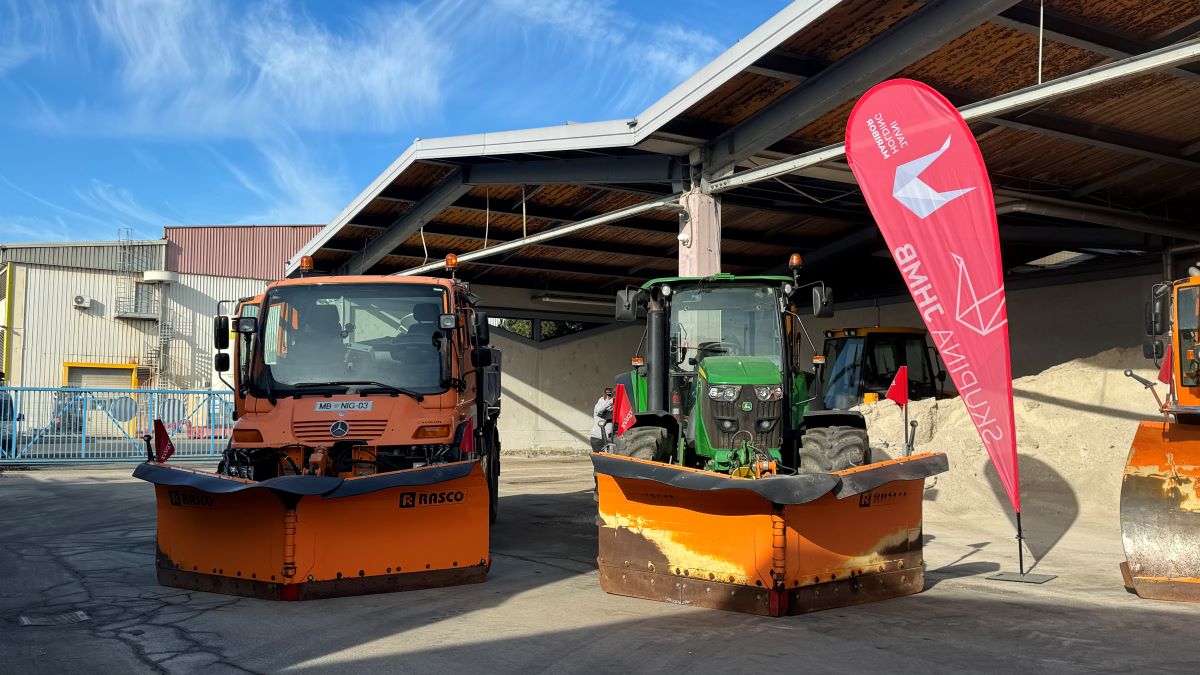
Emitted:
pixel 89 255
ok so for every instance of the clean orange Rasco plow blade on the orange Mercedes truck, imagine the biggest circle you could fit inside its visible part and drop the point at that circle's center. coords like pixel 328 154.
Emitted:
pixel 305 537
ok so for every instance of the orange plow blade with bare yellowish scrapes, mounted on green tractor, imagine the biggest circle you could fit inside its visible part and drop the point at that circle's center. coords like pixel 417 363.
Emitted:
pixel 788 545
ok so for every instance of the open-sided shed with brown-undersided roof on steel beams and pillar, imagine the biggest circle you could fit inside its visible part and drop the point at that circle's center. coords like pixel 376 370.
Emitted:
pixel 1094 184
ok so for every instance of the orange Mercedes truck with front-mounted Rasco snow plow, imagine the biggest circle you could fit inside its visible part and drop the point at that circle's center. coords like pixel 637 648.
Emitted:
pixel 365 455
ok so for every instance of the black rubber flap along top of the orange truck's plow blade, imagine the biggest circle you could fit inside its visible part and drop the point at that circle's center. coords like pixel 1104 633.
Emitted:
pixel 328 487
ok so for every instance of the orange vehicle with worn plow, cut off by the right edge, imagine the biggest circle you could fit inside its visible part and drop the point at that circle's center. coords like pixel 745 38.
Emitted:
pixel 1161 489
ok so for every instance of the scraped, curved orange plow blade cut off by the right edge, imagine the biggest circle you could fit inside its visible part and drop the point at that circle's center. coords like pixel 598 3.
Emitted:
pixel 1161 512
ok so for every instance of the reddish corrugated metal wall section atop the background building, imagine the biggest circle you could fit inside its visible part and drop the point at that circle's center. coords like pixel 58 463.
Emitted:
pixel 245 252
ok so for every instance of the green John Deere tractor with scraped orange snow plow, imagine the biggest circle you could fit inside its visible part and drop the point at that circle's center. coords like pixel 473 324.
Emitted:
pixel 727 488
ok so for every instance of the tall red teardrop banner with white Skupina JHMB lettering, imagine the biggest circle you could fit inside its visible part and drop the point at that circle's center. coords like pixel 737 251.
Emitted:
pixel 925 181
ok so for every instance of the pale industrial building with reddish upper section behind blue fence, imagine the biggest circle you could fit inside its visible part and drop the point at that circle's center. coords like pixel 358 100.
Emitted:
pixel 131 314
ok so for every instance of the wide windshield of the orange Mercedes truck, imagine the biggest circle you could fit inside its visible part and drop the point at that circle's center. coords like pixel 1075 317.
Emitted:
pixel 320 337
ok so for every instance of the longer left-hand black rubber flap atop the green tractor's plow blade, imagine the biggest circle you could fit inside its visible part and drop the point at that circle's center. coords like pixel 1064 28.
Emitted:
pixel 777 489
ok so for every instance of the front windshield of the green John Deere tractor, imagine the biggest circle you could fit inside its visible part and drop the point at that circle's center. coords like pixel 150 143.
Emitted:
pixel 725 320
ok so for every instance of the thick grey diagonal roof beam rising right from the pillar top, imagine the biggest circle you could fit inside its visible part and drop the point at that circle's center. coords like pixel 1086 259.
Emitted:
pixel 907 43
